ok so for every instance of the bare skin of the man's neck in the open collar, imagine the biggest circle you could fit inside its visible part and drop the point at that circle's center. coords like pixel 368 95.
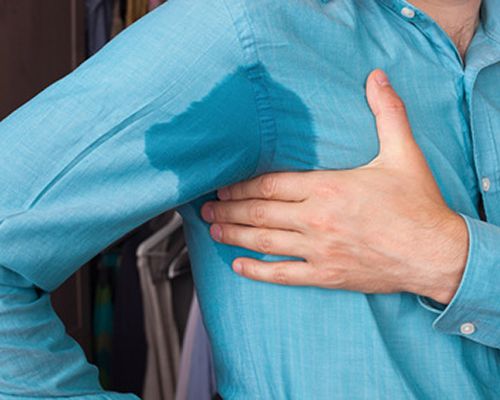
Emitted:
pixel 458 18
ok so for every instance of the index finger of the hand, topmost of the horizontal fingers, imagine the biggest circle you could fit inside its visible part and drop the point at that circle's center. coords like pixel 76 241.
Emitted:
pixel 285 186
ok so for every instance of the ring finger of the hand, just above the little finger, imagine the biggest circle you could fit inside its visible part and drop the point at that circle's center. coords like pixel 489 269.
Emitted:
pixel 266 241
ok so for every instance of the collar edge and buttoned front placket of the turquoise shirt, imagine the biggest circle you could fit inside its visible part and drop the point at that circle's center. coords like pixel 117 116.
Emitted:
pixel 476 115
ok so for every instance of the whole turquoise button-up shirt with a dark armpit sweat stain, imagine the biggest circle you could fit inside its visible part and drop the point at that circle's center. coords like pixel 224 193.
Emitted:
pixel 200 94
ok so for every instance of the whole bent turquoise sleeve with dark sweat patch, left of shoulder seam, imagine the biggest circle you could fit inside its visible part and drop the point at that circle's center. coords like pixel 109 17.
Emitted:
pixel 166 112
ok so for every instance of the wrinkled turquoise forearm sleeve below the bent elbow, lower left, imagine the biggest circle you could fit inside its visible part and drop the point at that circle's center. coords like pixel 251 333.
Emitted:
pixel 38 359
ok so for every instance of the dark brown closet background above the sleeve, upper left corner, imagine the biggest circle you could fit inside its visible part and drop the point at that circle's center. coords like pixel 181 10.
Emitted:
pixel 41 41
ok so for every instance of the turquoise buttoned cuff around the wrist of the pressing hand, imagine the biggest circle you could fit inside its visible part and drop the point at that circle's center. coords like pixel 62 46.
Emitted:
pixel 474 310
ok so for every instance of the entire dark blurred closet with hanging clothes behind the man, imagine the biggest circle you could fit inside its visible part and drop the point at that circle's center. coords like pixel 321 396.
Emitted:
pixel 105 305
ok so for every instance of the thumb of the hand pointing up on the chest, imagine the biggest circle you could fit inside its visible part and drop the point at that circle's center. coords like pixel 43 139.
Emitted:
pixel 394 131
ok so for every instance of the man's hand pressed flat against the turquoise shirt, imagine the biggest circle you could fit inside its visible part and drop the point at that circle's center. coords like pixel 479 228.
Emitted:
pixel 380 228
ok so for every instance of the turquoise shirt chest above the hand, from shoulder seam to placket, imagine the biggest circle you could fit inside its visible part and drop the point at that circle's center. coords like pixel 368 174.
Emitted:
pixel 316 63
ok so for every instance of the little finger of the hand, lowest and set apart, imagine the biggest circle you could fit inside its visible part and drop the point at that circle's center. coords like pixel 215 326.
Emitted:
pixel 282 272
